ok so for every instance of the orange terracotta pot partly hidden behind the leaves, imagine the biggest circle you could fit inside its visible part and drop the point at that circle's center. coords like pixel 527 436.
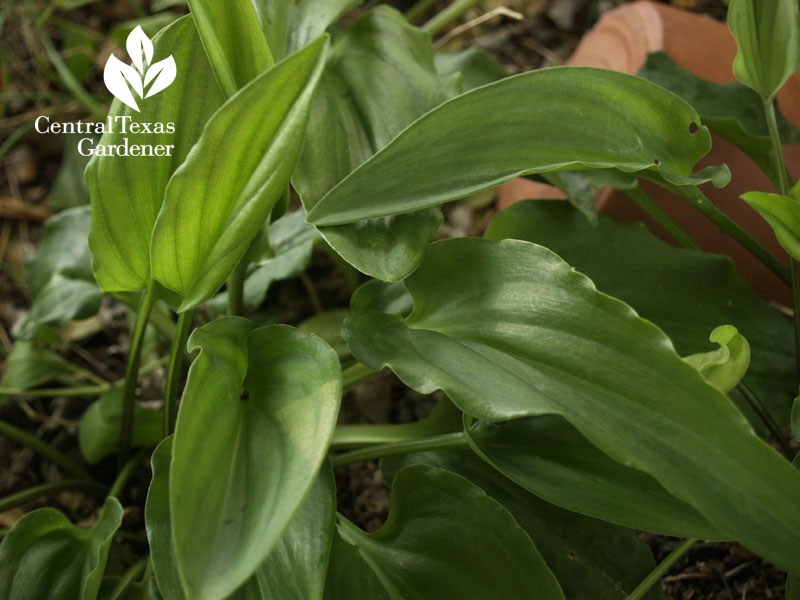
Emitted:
pixel 621 41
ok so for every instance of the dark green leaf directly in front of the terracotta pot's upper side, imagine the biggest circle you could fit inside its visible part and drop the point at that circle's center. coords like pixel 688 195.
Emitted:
pixel 730 110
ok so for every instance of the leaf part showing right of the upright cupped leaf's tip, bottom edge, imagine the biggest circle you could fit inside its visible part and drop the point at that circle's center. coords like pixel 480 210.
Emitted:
pixel 296 568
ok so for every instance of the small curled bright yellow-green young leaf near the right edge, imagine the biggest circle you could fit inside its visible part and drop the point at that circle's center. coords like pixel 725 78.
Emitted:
pixel 724 367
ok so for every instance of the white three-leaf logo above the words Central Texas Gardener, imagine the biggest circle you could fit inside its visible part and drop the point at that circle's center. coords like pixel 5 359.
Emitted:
pixel 123 81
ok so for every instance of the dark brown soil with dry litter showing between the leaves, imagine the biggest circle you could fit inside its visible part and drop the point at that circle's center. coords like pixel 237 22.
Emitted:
pixel 546 35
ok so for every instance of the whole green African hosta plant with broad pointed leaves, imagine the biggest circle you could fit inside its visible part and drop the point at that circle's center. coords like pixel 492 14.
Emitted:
pixel 581 398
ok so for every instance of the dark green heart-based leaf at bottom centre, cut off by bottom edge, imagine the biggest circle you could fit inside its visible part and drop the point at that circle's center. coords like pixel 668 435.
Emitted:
pixel 444 538
